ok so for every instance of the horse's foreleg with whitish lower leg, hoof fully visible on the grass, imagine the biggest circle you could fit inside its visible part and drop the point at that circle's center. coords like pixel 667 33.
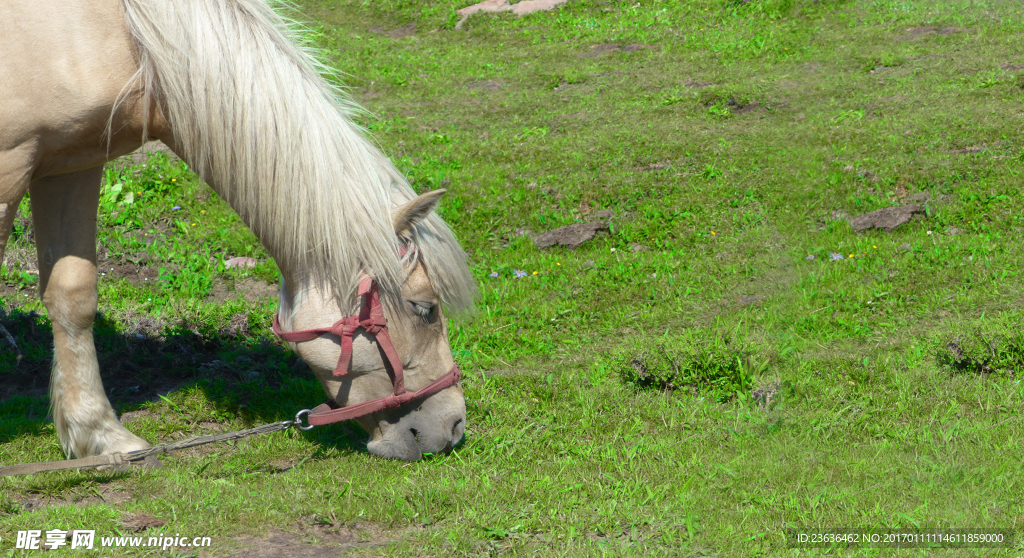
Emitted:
pixel 64 210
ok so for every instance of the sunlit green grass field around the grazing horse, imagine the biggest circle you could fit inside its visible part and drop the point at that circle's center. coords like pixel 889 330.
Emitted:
pixel 731 361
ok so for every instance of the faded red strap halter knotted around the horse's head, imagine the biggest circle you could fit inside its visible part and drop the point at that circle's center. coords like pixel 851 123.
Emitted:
pixel 371 319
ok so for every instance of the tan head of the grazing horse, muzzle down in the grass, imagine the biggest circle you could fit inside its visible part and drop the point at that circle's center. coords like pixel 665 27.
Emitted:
pixel 360 370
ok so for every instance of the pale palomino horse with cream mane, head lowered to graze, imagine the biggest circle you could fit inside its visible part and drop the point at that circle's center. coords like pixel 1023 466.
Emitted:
pixel 227 85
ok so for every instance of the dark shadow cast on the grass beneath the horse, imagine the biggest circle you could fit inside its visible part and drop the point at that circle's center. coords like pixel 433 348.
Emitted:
pixel 238 374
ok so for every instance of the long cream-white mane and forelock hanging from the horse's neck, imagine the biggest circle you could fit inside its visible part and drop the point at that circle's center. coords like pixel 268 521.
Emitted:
pixel 252 114
